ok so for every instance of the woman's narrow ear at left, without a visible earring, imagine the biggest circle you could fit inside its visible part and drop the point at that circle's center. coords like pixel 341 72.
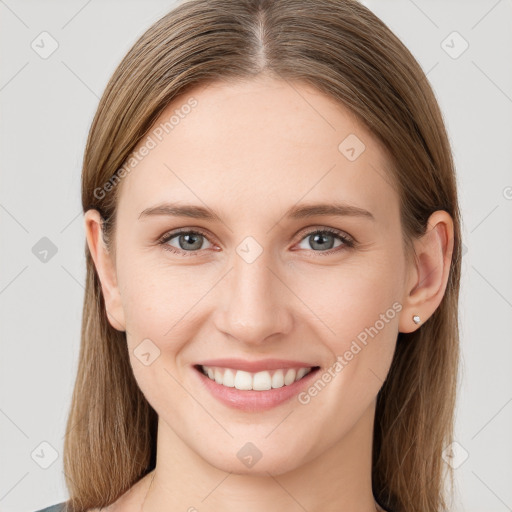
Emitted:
pixel 105 266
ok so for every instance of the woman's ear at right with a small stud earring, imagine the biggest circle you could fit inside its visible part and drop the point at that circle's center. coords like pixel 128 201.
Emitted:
pixel 428 276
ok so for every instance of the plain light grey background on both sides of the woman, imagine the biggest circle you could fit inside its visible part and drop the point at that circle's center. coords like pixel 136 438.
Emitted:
pixel 47 107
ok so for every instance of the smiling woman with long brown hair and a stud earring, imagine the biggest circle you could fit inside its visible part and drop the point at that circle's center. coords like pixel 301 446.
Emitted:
pixel 273 263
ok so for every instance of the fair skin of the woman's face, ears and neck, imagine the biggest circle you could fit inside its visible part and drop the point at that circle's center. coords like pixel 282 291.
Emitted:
pixel 249 151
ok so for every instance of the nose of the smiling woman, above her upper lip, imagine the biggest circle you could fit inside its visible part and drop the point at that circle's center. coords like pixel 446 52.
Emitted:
pixel 254 303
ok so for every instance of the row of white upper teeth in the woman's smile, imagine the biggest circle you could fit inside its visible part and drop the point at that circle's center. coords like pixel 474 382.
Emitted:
pixel 259 381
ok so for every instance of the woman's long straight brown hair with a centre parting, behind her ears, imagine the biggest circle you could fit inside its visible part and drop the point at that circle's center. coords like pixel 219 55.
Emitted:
pixel 343 50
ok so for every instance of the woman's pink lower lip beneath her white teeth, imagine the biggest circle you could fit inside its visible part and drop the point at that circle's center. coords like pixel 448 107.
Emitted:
pixel 251 400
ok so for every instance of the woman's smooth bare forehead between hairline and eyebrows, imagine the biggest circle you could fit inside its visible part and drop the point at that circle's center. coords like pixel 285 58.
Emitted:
pixel 256 144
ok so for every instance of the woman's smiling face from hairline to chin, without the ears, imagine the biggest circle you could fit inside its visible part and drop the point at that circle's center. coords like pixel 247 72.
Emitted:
pixel 265 277
